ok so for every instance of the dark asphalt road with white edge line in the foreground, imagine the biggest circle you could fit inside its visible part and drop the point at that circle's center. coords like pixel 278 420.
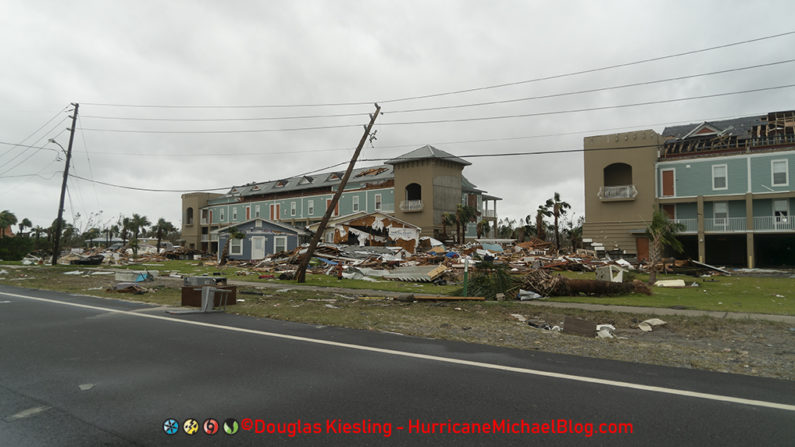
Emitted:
pixel 111 373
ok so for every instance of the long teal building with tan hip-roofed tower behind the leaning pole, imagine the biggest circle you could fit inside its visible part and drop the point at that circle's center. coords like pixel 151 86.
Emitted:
pixel 417 187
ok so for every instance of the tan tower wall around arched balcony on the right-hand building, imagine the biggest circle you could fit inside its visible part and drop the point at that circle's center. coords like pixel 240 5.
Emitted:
pixel 612 221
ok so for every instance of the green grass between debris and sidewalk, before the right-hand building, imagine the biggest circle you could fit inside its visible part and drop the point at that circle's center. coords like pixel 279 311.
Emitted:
pixel 767 295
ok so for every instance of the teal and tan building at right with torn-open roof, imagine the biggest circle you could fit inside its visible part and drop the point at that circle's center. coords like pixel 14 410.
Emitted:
pixel 726 181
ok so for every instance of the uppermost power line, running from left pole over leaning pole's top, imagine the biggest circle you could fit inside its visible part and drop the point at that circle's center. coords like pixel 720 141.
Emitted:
pixel 453 92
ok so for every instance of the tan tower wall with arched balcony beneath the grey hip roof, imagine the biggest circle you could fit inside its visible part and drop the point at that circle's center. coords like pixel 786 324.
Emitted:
pixel 440 181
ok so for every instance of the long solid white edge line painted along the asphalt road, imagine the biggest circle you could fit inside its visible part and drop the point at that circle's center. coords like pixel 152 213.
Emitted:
pixel 535 372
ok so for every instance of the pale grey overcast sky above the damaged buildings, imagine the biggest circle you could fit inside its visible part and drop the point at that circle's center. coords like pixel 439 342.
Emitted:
pixel 104 54
